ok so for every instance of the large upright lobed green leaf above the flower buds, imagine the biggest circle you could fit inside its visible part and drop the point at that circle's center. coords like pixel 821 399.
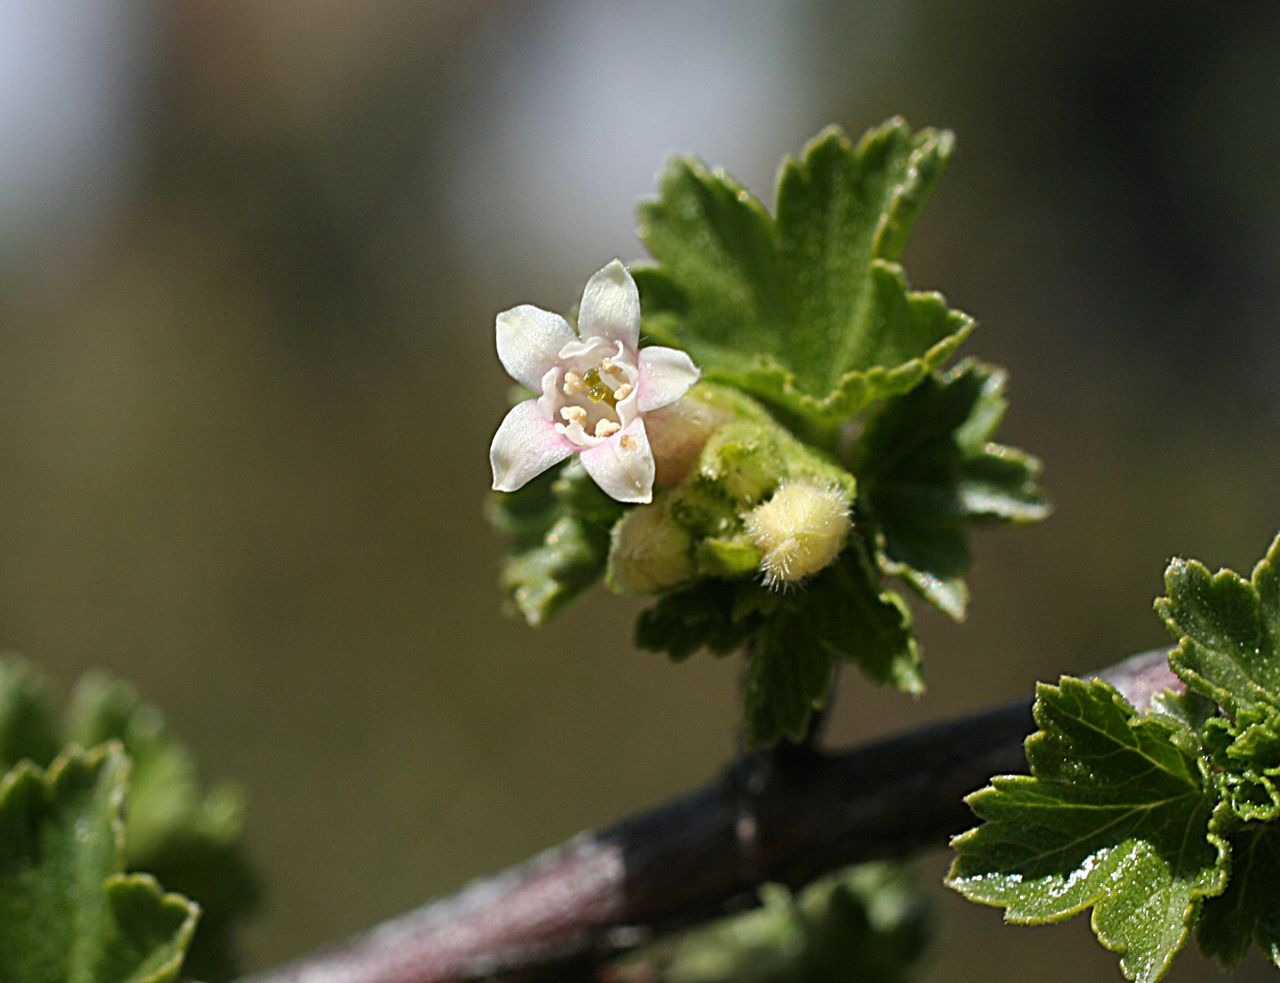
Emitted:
pixel 810 312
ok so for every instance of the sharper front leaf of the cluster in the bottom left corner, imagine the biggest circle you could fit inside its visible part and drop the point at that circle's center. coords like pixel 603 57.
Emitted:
pixel 67 912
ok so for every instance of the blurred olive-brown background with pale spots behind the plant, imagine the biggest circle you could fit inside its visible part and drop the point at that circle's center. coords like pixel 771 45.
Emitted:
pixel 250 258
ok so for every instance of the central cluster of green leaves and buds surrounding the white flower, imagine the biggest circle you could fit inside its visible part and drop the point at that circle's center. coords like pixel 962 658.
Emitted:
pixel 801 322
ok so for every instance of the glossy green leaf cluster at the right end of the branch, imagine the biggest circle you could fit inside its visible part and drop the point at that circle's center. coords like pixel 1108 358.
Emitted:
pixel 1165 821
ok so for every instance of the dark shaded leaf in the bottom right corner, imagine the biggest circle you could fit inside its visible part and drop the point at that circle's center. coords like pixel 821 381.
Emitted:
pixel 1250 908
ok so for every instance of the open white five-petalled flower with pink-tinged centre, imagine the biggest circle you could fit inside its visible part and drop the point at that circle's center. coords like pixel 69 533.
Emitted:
pixel 595 390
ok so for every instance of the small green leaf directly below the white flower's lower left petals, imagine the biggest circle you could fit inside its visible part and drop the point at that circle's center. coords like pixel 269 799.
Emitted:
pixel 560 539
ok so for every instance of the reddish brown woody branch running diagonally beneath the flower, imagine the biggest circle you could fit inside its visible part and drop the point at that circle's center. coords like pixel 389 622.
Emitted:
pixel 789 816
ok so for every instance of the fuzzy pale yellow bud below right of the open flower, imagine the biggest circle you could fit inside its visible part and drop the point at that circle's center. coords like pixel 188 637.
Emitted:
pixel 799 531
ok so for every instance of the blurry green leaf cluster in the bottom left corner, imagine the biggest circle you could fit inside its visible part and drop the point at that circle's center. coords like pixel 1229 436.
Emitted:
pixel 140 795
